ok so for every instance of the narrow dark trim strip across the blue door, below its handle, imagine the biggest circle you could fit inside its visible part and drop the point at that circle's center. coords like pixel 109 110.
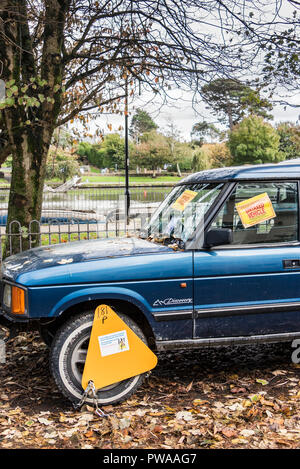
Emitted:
pixel 249 309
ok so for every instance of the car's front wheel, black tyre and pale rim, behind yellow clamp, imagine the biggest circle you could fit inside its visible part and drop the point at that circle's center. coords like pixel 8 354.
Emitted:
pixel 67 359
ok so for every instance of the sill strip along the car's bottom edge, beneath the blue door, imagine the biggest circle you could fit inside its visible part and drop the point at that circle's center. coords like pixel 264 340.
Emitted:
pixel 212 342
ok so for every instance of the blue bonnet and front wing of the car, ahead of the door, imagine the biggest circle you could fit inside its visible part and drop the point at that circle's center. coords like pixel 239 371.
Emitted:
pixel 129 269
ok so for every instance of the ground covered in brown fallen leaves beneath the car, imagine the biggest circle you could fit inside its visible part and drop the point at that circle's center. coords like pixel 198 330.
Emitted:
pixel 234 397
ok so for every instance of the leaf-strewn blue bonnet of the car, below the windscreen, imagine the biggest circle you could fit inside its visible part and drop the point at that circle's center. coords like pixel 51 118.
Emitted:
pixel 67 256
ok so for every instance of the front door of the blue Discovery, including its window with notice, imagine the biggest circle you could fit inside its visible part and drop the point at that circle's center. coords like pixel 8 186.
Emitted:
pixel 252 286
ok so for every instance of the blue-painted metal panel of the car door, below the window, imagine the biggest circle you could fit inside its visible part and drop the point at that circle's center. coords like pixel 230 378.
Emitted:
pixel 246 277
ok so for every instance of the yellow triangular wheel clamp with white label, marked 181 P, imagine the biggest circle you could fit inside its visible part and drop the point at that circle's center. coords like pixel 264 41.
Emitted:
pixel 115 352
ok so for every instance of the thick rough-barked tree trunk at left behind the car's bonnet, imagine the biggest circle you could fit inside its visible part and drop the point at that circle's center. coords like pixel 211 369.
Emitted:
pixel 30 126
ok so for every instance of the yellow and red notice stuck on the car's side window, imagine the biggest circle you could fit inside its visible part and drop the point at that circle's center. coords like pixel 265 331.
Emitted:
pixel 255 210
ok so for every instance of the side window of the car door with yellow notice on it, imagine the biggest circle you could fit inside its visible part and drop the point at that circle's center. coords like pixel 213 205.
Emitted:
pixel 261 212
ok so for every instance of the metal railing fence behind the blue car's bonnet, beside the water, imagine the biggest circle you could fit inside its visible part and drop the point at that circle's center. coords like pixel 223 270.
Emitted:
pixel 80 214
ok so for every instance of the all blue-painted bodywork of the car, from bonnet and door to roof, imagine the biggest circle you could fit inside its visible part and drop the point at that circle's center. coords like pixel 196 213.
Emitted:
pixel 149 276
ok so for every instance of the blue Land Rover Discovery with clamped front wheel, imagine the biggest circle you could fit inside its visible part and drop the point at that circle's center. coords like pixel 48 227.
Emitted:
pixel 218 263
